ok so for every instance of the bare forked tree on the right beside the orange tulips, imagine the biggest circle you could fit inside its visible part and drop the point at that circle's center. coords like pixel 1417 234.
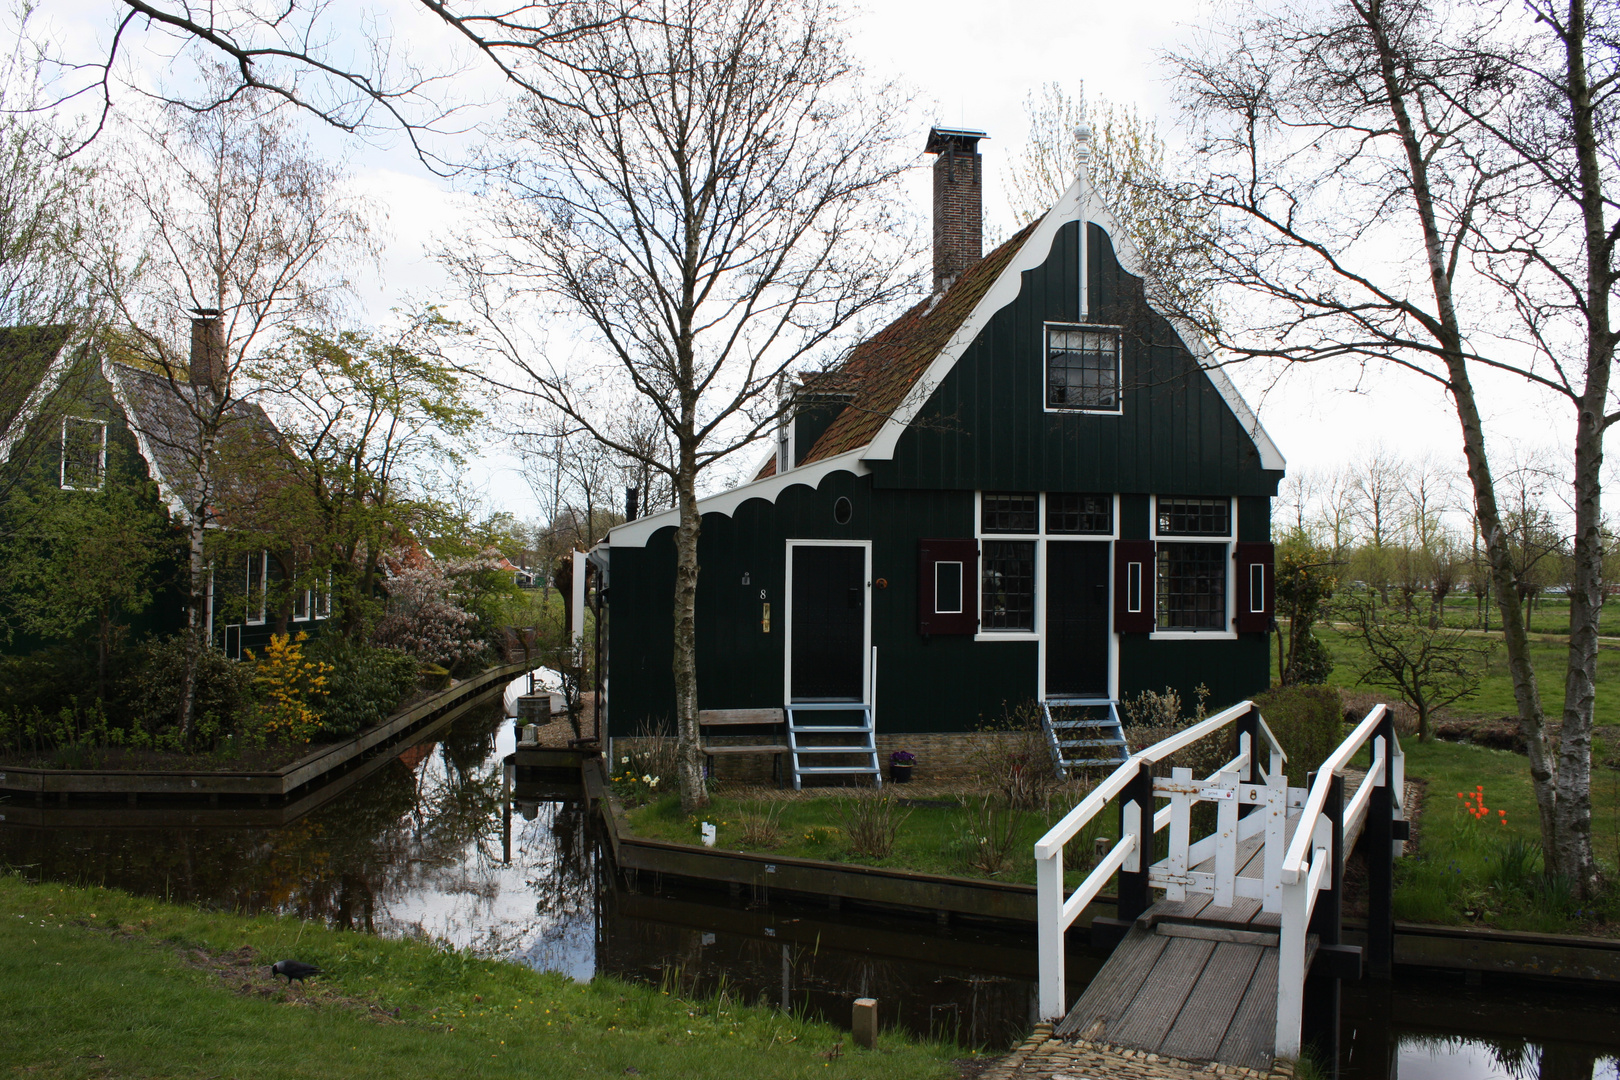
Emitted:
pixel 1366 168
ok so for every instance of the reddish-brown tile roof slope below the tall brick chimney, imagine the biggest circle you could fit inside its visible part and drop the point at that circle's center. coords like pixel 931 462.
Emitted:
pixel 884 368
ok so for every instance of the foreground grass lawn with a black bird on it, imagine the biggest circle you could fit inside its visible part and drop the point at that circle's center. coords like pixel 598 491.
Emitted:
pixel 103 984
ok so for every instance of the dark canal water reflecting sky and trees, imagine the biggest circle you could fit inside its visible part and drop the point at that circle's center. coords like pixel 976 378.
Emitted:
pixel 428 844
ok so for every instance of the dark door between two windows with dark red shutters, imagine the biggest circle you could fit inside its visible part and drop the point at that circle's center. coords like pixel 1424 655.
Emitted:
pixel 1076 619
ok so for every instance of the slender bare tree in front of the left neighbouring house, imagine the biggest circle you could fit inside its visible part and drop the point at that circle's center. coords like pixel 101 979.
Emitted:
pixel 234 237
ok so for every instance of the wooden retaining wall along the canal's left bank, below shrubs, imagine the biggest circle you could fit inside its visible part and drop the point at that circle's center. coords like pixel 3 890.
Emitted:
pixel 268 784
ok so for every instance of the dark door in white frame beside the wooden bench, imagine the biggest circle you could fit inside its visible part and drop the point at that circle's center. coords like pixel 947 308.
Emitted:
pixel 829 624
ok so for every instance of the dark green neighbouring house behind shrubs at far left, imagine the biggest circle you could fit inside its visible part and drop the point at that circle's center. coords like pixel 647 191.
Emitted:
pixel 77 425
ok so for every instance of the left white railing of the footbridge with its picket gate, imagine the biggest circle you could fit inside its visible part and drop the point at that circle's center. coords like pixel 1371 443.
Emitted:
pixel 1133 783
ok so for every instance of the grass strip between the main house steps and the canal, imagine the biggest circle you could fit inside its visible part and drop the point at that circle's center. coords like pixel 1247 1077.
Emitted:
pixel 961 840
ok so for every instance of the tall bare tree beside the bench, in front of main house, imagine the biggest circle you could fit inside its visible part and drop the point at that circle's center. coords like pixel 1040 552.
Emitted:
pixel 707 195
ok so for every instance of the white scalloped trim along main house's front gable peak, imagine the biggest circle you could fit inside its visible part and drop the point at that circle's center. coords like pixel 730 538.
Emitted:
pixel 1075 206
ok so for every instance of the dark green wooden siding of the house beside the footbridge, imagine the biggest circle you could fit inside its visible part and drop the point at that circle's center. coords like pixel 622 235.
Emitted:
pixel 984 430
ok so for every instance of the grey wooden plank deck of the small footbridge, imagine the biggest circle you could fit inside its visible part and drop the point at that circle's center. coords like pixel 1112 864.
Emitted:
pixel 1193 980
